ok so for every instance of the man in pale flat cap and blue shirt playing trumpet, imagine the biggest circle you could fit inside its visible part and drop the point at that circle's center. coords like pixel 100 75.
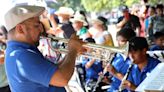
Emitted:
pixel 26 68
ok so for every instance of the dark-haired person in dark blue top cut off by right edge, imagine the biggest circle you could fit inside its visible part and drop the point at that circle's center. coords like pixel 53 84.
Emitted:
pixel 158 41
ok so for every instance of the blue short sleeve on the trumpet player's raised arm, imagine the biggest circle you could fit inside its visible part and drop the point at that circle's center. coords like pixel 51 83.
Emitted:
pixel 35 67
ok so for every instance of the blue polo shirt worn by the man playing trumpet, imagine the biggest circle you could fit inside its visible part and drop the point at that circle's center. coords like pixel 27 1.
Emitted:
pixel 27 69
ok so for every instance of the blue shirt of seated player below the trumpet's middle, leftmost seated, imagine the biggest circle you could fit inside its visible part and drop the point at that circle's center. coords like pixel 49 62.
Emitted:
pixel 94 70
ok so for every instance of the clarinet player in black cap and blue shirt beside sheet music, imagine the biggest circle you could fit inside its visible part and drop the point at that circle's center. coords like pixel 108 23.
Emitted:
pixel 143 64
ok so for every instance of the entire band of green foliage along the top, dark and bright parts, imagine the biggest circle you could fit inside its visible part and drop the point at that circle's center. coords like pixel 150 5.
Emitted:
pixel 99 5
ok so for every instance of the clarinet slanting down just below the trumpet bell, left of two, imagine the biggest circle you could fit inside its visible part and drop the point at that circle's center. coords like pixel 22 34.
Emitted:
pixel 104 72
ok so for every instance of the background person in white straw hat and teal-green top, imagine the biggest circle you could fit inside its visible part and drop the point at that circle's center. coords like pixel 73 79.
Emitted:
pixel 79 24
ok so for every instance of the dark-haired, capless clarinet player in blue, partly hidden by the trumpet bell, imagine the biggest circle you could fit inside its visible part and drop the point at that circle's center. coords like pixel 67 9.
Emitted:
pixel 119 65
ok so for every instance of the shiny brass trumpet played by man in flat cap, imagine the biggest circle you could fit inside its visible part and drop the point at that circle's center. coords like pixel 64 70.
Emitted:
pixel 95 51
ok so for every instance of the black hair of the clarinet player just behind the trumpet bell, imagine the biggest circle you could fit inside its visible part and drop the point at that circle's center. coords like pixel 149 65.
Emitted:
pixel 127 33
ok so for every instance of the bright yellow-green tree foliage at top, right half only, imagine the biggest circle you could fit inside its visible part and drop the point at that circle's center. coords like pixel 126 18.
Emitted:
pixel 99 5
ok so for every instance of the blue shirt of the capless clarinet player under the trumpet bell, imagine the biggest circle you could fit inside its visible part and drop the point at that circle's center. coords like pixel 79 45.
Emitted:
pixel 121 65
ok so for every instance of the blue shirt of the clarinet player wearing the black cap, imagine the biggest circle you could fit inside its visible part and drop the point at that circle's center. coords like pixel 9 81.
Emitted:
pixel 136 76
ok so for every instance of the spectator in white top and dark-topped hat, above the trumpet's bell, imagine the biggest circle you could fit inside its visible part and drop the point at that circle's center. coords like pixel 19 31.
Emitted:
pixel 99 31
